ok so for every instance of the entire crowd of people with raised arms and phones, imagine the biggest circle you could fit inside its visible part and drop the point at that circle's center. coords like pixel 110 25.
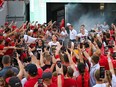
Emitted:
pixel 47 55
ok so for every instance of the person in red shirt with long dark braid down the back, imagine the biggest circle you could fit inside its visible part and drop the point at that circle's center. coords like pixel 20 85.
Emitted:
pixel 83 79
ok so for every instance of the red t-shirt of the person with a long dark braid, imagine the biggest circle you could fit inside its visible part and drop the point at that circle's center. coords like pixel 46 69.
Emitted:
pixel 86 80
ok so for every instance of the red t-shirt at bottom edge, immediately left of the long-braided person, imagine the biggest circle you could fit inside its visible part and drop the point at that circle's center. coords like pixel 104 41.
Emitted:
pixel 69 82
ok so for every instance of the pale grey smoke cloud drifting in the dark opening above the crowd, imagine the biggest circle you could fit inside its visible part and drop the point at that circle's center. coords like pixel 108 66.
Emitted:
pixel 78 14
